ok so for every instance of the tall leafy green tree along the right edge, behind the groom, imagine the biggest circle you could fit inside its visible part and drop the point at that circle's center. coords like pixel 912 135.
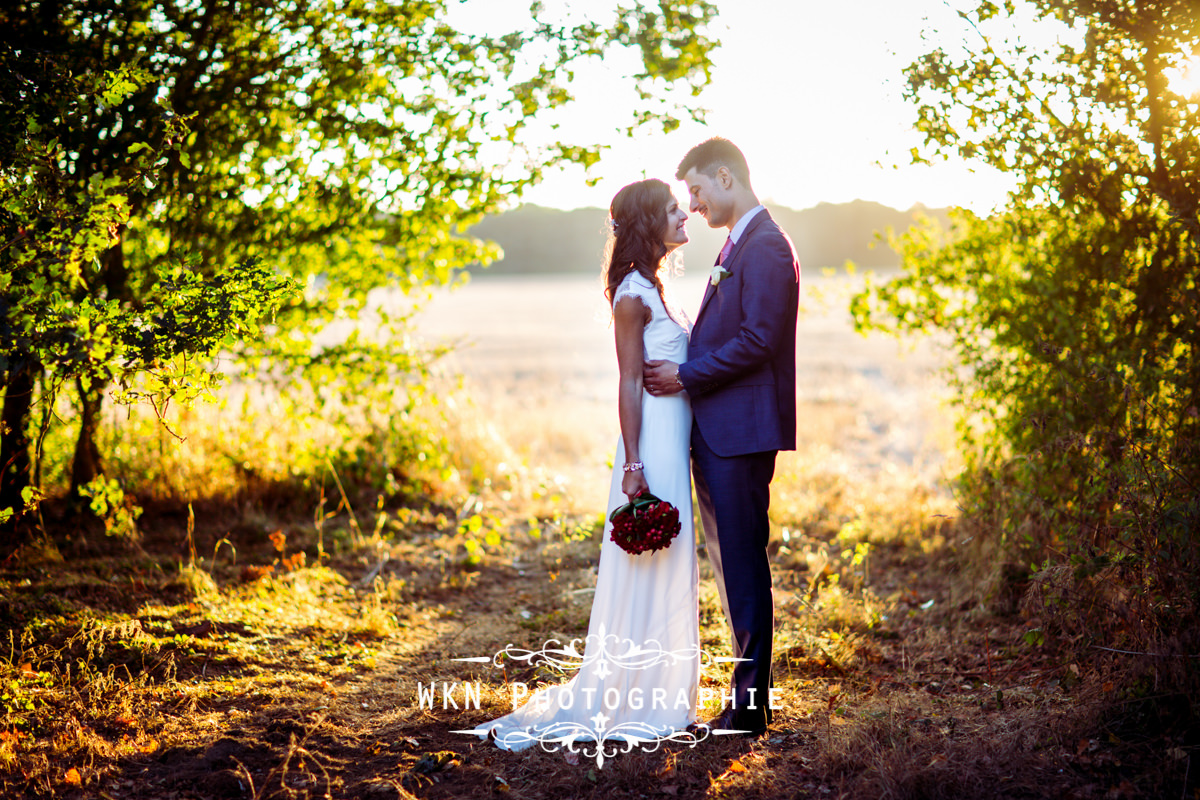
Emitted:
pixel 1073 309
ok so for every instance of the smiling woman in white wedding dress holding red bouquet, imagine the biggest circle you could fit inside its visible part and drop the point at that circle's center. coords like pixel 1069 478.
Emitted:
pixel 640 671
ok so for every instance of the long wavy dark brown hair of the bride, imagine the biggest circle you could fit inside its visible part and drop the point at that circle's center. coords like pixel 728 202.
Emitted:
pixel 639 221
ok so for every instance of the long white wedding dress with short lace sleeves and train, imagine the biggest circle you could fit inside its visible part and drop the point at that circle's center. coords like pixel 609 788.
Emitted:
pixel 640 669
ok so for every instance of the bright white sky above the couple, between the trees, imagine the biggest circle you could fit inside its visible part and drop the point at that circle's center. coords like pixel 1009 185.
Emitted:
pixel 812 93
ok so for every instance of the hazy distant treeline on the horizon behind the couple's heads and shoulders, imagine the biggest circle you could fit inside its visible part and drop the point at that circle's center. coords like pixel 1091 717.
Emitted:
pixel 541 240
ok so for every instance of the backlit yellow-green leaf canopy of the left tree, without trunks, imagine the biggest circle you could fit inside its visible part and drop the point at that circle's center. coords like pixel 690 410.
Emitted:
pixel 349 136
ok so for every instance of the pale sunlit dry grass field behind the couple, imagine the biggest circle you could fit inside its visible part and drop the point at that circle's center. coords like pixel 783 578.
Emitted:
pixel 538 362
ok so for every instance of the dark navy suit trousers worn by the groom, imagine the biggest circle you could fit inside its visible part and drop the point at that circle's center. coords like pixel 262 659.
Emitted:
pixel 735 496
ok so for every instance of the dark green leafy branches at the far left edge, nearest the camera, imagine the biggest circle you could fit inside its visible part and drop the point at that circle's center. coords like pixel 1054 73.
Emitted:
pixel 62 317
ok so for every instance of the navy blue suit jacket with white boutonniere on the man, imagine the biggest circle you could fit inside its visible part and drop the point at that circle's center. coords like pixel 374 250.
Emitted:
pixel 741 369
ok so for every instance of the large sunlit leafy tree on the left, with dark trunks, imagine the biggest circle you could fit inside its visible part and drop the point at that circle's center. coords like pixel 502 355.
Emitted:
pixel 346 142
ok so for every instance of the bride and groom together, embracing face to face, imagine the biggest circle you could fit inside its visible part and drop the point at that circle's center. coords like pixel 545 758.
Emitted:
pixel 710 401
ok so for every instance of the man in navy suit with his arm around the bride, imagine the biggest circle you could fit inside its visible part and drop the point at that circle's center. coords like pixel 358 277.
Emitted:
pixel 741 377
